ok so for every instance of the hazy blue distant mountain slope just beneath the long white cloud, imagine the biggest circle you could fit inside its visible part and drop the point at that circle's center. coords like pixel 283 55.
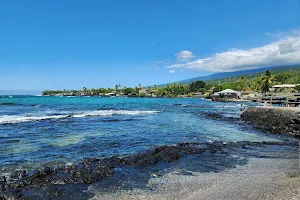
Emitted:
pixel 222 75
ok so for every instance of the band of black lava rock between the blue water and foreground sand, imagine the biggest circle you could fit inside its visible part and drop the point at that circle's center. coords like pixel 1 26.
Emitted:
pixel 52 183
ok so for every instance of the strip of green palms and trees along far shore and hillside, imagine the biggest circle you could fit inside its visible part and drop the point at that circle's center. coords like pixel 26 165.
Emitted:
pixel 258 82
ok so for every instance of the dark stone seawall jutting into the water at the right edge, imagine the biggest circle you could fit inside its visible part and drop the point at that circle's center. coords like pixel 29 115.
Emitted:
pixel 274 119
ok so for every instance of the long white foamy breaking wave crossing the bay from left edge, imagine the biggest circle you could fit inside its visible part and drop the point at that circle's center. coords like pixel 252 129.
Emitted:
pixel 11 119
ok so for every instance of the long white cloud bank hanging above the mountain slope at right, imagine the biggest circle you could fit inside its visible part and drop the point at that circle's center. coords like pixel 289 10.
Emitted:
pixel 285 51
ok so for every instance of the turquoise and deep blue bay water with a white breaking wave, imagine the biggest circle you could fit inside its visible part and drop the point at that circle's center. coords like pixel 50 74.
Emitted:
pixel 37 131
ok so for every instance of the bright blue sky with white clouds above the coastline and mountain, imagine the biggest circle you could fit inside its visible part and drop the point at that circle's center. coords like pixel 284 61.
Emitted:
pixel 69 44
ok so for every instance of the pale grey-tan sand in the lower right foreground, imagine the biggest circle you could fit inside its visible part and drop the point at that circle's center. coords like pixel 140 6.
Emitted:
pixel 260 178
